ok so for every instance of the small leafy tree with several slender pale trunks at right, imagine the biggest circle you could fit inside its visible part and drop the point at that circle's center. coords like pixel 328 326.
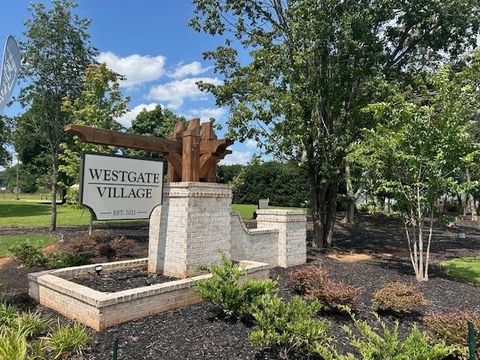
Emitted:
pixel 415 156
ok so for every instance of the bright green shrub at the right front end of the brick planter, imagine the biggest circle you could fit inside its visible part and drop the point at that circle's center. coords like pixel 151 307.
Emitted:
pixel 225 290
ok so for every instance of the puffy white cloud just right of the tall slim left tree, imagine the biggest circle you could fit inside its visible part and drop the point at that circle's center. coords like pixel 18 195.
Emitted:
pixel 136 68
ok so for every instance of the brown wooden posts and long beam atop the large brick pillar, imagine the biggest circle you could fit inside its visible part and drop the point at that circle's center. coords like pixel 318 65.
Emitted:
pixel 192 150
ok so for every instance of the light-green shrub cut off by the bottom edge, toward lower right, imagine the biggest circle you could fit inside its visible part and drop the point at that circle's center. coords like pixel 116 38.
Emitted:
pixel 386 344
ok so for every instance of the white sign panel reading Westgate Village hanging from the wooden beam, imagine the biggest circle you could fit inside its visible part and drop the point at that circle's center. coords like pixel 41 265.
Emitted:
pixel 115 187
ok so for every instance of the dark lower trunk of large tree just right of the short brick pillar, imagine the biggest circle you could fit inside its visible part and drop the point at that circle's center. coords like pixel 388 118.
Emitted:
pixel 323 204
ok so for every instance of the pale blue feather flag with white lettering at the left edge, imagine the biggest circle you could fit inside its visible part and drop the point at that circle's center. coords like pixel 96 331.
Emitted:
pixel 10 68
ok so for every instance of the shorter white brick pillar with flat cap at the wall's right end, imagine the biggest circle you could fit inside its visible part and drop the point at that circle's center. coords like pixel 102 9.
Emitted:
pixel 292 236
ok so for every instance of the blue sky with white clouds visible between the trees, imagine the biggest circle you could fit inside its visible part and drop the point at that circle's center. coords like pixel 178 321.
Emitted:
pixel 149 42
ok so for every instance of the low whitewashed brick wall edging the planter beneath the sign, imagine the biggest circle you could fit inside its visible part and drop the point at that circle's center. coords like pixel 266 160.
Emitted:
pixel 101 310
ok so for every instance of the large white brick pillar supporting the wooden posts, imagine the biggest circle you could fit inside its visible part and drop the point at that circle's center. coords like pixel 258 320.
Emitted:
pixel 191 227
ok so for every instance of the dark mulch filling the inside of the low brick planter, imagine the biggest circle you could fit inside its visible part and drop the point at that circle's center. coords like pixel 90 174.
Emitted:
pixel 120 280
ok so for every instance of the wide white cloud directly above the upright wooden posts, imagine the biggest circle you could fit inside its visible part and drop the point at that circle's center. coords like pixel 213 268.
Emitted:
pixel 173 93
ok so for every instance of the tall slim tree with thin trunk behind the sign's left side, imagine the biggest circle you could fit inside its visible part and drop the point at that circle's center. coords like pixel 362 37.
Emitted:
pixel 56 52
